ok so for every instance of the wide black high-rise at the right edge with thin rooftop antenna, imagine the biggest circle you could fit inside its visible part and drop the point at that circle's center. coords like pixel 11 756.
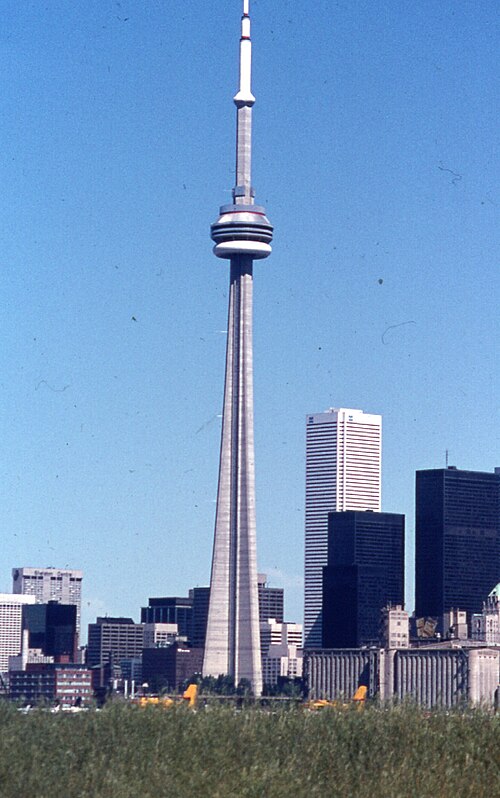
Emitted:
pixel 457 539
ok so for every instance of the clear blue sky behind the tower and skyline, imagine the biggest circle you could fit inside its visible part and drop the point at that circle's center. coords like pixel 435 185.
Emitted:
pixel 376 155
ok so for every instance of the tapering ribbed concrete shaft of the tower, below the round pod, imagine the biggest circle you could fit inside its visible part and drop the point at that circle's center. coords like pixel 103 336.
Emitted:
pixel 232 641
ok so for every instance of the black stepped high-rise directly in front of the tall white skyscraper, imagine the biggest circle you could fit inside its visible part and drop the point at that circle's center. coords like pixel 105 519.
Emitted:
pixel 365 573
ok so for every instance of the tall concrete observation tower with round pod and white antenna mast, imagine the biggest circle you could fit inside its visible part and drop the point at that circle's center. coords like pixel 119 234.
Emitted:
pixel 241 234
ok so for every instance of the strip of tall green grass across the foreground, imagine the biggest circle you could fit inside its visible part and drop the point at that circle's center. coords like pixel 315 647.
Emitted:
pixel 221 752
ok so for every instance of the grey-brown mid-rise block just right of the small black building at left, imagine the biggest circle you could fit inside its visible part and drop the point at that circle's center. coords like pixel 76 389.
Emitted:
pixel 112 640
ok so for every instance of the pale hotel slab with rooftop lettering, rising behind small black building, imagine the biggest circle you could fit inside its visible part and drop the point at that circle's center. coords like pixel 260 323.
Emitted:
pixel 50 584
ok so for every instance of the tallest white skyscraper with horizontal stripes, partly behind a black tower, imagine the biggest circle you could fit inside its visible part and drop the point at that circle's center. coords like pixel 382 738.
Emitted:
pixel 343 472
